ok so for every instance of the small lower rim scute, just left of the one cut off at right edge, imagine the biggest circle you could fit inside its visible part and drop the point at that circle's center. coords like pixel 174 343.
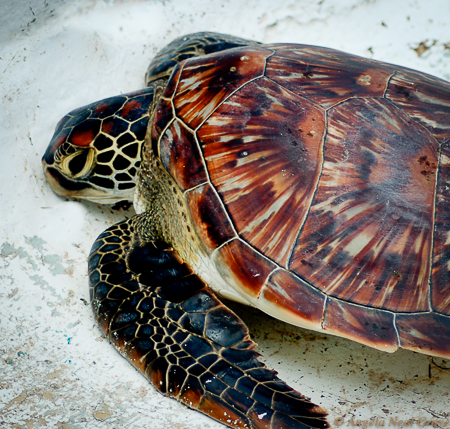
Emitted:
pixel 369 326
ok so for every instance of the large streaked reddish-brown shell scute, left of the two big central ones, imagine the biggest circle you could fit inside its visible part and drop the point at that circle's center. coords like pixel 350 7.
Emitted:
pixel 263 149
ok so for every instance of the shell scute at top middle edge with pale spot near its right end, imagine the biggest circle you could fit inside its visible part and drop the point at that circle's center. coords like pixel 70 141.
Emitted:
pixel 326 76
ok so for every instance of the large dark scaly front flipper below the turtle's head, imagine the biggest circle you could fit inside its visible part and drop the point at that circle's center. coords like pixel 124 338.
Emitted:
pixel 163 318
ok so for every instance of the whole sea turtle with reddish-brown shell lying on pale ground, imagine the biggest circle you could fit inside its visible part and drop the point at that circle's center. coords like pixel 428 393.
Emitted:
pixel 309 183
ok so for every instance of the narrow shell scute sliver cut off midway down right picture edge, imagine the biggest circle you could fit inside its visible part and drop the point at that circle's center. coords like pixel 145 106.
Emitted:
pixel 440 289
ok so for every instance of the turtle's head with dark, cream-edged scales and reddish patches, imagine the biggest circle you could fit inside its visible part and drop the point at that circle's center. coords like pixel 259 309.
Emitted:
pixel 95 152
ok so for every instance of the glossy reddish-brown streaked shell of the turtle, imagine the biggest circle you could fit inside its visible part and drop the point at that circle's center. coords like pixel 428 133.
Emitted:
pixel 319 183
